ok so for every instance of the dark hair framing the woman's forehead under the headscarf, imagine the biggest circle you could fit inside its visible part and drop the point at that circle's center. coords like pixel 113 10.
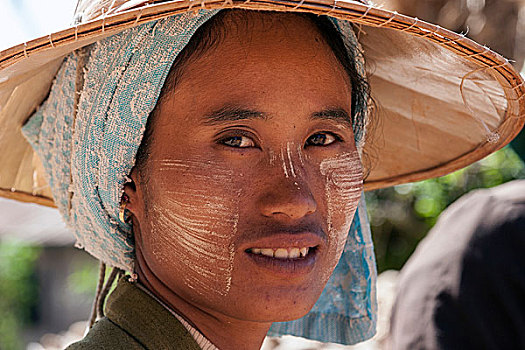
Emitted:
pixel 212 32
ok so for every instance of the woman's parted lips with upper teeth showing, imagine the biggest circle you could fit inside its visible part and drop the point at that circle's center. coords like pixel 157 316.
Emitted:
pixel 285 254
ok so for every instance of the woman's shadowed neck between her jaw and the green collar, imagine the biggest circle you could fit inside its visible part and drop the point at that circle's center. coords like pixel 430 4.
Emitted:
pixel 223 331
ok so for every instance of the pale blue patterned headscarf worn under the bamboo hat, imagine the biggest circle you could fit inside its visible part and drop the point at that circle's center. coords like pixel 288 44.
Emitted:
pixel 88 147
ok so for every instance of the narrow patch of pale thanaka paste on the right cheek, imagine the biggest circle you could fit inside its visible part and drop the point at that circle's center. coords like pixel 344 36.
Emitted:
pixel 343 186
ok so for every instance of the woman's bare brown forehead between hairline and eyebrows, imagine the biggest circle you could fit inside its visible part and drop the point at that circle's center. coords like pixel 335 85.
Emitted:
pixel 275 63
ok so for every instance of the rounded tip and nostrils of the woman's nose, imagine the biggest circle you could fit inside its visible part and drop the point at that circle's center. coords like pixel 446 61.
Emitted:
pixel 288 200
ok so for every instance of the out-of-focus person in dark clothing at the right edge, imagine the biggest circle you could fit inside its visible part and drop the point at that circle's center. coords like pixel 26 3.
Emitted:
pixel 464 287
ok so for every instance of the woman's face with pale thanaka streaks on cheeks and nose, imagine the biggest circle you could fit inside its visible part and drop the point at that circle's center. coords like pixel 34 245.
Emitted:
pixel 253 177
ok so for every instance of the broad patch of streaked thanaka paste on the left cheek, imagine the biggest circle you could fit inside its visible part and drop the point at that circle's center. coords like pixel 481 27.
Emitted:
pixel 194 223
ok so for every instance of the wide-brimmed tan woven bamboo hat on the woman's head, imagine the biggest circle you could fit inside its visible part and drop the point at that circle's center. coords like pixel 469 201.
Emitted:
pixel 443 100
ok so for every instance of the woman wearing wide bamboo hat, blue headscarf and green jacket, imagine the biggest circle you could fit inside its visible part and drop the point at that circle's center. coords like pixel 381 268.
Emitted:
pixel 216 156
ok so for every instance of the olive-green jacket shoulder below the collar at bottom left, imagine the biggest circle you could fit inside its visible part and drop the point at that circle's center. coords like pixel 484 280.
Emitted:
pixel 106 335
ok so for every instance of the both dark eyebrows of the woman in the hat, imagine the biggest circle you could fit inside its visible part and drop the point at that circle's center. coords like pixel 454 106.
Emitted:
pixel 230 114
